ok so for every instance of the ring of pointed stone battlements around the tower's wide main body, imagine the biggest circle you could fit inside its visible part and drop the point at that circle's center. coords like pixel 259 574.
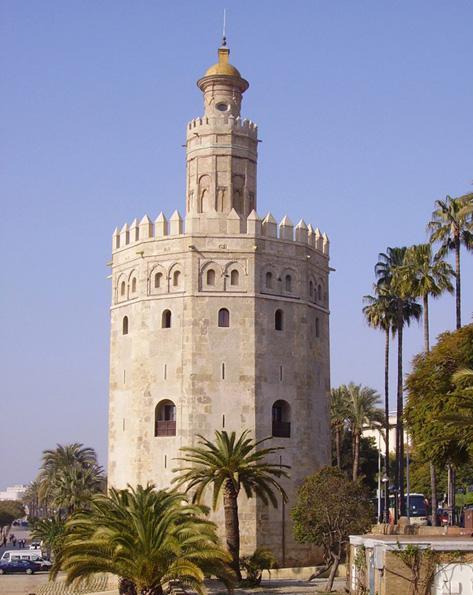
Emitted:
pixel 233 224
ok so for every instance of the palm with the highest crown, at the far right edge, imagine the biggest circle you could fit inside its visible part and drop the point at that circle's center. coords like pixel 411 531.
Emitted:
pixel 452 226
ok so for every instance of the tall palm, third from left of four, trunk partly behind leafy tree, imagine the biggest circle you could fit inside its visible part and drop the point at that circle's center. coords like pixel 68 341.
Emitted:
pixel 428 276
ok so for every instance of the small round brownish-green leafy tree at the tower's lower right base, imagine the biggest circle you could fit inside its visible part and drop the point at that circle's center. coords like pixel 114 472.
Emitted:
pixel 329 508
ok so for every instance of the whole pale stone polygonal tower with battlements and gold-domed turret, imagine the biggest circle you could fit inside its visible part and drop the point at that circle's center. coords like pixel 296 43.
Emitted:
pixel 220 321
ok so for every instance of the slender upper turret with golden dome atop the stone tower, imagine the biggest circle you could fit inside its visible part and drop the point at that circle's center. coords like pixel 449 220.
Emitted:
pixel 221 149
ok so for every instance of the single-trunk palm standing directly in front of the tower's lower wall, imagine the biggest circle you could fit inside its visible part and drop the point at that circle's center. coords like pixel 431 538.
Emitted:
pixel 227 465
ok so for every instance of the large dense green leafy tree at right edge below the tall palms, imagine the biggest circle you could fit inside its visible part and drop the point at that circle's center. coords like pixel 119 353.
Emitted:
pixel 433 396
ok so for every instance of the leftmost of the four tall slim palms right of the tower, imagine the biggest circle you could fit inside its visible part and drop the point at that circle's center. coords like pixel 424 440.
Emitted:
pixel 380 313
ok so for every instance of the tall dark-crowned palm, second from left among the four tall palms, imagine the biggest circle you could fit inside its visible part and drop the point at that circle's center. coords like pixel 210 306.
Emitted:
pixel 390 271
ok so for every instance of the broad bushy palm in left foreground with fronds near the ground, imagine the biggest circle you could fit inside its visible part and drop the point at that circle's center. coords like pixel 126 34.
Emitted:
pixel 146 537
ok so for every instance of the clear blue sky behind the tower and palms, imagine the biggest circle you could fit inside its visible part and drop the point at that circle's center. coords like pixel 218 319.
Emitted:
pixel 365 111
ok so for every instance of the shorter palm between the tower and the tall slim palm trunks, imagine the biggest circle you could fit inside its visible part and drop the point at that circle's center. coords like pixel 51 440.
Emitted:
pixel 362 412
